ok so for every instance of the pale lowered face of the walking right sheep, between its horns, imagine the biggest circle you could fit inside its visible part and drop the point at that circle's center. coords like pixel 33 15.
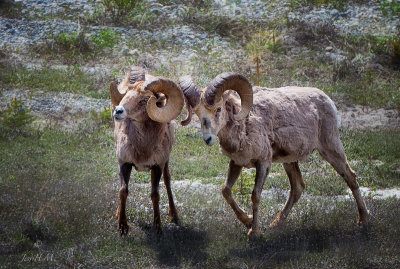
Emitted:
pixel 212 120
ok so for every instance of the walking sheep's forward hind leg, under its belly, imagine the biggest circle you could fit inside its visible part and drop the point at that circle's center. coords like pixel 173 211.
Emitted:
pixel 296 188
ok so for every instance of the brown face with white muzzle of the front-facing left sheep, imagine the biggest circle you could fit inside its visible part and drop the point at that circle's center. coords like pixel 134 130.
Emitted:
pixel 132 106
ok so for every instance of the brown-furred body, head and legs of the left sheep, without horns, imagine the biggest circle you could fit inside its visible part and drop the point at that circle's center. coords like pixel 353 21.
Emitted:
pixel 145 145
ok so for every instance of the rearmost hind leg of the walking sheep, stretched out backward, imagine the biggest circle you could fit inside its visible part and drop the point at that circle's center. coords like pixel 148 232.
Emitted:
pixel 337 158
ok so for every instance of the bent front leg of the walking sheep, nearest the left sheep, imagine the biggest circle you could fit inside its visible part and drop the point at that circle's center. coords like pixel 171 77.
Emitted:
pixel 233 174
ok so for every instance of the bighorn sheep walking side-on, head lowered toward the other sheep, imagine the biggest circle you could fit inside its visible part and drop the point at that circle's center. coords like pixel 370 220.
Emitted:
pixel 281 125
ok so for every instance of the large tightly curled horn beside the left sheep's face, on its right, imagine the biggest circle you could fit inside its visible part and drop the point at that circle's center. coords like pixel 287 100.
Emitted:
pixel 174 97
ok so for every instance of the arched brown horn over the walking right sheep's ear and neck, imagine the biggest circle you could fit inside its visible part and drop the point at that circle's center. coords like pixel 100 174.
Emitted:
pixel 230 81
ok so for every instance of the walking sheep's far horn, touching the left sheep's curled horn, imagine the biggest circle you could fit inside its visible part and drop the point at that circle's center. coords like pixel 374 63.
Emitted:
pixel 192 96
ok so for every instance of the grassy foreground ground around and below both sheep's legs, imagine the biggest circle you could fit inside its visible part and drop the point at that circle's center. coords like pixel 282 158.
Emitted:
pixel 59 194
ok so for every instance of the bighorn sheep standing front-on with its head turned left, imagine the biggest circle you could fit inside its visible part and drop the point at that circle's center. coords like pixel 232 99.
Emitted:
pixel 143 107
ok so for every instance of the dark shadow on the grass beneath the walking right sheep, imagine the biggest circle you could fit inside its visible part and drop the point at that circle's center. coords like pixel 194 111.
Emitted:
pixel 291 245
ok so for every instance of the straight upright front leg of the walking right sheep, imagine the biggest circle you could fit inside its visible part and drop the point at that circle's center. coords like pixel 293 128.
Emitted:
pixel 262 170
